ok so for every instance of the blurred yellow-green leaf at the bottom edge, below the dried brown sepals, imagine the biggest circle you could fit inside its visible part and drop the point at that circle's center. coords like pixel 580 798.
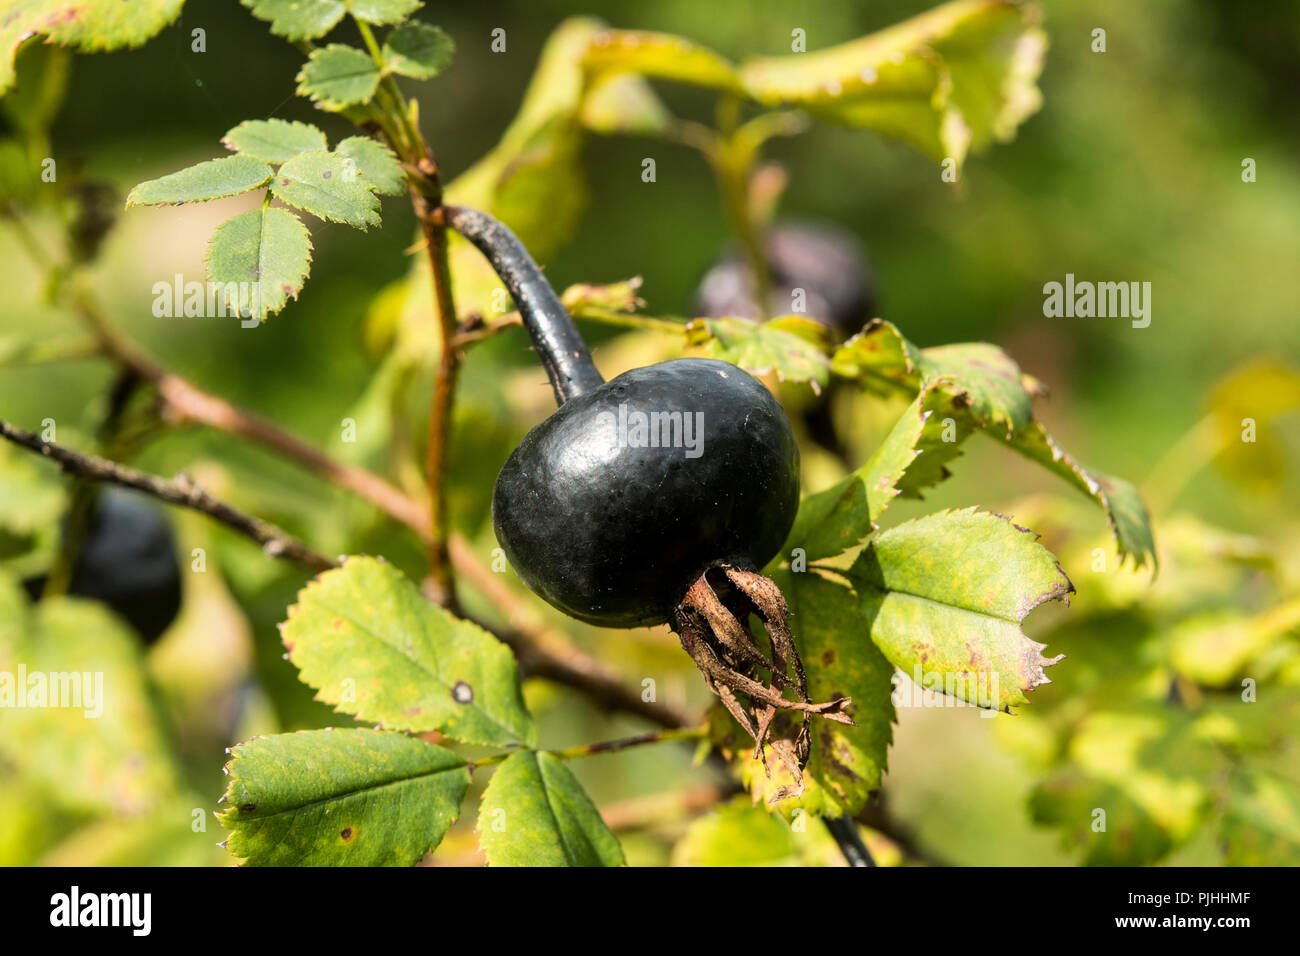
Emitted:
pixel 739 834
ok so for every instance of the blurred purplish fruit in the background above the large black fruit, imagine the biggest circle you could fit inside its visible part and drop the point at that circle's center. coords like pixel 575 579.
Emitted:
pixel 826 262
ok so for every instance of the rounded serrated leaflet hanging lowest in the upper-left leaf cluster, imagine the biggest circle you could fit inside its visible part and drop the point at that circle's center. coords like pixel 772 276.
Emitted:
pixel 262 258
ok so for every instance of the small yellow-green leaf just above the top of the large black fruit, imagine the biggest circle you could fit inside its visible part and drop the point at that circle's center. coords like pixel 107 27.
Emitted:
pixel 792 347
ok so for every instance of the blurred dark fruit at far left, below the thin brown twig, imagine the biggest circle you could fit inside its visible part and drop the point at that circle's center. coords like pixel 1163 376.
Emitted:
pixel 128 561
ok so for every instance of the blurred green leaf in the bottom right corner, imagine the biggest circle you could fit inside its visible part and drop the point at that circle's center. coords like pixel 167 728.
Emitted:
pixel 1262 825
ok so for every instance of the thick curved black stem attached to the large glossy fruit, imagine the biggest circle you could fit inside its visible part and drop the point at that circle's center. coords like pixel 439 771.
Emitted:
pixel 556 338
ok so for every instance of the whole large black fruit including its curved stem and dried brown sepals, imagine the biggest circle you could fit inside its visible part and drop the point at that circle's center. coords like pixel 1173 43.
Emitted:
pixel 656 498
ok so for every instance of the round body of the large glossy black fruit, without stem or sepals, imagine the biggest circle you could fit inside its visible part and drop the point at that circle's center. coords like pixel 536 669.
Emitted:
pixel 613 530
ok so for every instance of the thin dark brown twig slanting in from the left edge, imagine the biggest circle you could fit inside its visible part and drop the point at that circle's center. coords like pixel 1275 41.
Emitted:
pixel 183 491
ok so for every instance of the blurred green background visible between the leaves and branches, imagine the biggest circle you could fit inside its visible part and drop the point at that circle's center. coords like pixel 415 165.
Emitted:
pixel 1130 172
